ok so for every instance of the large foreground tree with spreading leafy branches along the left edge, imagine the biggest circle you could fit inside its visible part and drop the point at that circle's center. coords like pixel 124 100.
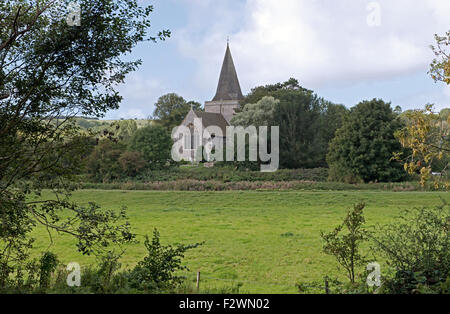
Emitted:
pixel 49 73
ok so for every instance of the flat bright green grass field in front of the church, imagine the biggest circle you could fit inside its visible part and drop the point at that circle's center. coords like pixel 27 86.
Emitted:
pixel 268 241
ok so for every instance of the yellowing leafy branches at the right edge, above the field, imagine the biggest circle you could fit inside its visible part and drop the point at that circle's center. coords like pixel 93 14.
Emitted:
pixel 427 136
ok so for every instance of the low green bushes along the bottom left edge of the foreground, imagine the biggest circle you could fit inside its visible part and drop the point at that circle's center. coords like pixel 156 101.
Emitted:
pixel 156 273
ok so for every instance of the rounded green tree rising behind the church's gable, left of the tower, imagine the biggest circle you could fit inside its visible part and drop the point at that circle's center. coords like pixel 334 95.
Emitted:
pixel 171 109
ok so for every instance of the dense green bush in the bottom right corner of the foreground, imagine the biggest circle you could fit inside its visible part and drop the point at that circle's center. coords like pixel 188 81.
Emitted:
pixel 417 249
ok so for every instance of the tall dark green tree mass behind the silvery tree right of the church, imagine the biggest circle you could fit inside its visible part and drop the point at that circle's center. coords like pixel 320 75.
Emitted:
pixel 302 117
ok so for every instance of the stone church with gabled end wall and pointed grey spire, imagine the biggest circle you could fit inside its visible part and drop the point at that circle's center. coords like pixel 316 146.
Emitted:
pixel 218 112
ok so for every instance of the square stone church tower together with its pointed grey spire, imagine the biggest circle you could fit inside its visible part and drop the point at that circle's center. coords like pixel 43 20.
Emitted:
pixel 228 92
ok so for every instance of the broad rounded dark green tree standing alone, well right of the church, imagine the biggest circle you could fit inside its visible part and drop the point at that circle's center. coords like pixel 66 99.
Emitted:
pixel 364 146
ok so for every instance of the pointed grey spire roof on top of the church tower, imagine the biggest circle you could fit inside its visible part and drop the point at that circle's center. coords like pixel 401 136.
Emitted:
pixel 228 87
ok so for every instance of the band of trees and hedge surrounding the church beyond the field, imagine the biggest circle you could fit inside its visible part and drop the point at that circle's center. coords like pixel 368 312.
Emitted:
pixel 356 145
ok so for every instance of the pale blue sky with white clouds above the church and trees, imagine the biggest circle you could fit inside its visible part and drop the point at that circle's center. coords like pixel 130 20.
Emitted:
pixel 346 50
